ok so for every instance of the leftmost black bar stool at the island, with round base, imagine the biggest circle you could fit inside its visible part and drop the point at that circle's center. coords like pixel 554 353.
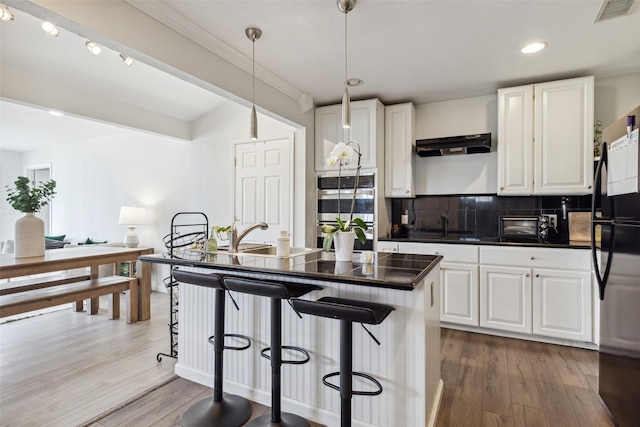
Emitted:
pixel 225 410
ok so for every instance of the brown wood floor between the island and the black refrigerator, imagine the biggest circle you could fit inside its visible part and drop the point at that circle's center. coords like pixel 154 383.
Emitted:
pixel 493 381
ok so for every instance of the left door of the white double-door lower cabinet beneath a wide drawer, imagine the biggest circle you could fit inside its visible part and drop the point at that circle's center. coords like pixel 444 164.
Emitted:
pixel 505 298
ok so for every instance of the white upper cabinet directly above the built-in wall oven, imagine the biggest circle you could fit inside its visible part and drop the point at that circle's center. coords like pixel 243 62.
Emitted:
pixel 367 130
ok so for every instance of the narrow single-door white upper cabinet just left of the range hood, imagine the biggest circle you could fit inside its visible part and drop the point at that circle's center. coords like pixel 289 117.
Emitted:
pixel 399 143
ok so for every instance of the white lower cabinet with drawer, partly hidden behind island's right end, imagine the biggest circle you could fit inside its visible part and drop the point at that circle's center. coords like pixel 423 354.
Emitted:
pixel 458 279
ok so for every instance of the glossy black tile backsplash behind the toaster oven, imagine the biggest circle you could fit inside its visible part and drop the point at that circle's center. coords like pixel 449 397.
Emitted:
pixel 476 217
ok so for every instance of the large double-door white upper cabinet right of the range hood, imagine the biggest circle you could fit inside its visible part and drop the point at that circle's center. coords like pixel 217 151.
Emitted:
pixel 545 138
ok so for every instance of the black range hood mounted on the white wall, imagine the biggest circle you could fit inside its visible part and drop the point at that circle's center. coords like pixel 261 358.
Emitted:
pixel 465 144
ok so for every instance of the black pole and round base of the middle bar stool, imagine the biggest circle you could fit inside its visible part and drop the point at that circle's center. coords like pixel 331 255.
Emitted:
pixel 277 417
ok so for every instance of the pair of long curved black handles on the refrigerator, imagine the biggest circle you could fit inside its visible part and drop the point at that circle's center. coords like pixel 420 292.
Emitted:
pixel 597 195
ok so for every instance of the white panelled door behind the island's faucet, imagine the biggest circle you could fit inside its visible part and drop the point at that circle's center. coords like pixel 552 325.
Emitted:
pixel 263 187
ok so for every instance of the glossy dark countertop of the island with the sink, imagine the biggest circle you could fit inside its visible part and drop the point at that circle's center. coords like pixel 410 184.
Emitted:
pixel 388 270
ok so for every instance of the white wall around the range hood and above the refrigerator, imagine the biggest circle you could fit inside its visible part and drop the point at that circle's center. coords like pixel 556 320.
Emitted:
pixel 477 173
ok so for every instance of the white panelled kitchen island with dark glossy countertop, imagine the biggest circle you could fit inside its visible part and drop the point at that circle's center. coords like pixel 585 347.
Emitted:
pixel 407 362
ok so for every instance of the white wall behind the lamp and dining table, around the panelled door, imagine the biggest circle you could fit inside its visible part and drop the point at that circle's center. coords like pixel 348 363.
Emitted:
pixel 167 176
